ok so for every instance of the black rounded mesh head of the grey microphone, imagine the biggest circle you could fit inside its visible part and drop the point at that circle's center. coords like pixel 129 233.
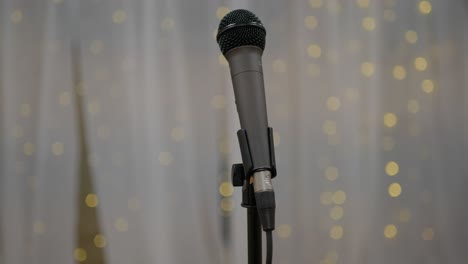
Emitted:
pixel 240 28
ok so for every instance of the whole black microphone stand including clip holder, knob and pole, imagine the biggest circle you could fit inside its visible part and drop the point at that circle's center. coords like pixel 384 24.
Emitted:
pixel 239 179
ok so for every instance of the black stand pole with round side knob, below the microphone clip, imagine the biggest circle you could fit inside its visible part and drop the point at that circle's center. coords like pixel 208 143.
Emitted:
pixel 254 230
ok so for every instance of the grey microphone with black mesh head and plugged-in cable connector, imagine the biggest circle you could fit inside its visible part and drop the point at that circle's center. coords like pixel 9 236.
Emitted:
pixel 241 38
